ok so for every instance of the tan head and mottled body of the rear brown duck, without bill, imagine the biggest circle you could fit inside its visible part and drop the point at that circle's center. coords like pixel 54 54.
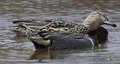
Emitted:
pixel 94 20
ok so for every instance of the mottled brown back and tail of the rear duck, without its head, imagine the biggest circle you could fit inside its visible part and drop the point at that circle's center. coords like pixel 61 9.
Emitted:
pixel 55 27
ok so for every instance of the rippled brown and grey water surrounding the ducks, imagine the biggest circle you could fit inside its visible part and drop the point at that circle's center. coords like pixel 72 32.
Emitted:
pixel 19 50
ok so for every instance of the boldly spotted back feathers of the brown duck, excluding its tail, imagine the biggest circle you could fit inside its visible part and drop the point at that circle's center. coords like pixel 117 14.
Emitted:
pixel 67 27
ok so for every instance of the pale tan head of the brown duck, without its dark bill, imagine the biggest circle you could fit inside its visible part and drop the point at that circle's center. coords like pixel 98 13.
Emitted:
pixel 95 19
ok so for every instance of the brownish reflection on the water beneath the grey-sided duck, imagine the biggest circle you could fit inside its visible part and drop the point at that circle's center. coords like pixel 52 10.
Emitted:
pixel 44 54
